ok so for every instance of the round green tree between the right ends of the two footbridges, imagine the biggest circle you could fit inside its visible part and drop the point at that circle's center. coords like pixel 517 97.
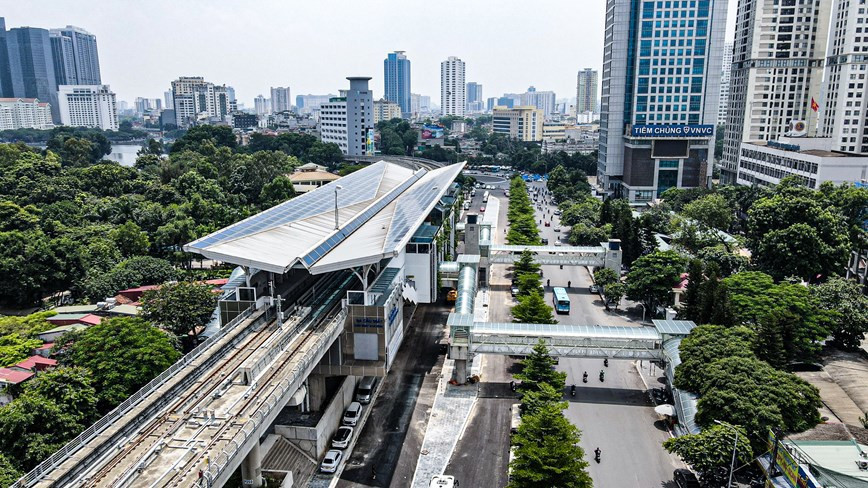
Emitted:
pixel 652 278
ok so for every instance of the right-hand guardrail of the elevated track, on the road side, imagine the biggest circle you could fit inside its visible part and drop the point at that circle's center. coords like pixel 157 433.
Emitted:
pixel 281 390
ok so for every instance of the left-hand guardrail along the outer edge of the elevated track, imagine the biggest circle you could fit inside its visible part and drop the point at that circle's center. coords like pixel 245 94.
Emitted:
pixel 108 419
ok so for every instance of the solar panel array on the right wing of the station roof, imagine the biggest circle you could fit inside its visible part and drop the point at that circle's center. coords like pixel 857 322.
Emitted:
pixel 412 206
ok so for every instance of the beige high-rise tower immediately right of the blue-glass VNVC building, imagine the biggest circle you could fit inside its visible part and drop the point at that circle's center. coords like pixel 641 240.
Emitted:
pixel 777 68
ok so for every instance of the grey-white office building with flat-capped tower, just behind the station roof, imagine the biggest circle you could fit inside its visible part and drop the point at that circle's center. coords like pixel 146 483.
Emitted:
pixel 348 120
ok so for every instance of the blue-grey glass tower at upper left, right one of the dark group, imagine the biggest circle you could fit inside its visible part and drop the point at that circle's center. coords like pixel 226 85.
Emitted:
pixel 76 59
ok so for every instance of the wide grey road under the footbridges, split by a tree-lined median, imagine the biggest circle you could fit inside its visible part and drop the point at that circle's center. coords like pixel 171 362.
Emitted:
pixel 615 415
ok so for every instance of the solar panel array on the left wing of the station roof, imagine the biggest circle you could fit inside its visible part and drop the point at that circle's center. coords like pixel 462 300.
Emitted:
pixel 357 187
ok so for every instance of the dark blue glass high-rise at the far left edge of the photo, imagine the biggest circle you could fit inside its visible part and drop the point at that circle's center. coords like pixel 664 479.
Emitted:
pixel 31 66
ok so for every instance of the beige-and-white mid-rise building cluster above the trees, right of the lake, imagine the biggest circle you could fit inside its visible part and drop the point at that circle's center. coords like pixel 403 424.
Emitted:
pixel 198 101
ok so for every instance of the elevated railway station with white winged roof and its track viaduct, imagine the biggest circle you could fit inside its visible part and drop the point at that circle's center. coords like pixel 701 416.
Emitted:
pixel 325 279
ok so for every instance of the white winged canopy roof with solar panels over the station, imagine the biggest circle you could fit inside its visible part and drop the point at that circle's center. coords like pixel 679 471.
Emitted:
pixel 379 208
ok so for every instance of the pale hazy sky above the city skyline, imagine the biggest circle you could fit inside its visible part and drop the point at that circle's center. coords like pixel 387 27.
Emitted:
pixel 312 46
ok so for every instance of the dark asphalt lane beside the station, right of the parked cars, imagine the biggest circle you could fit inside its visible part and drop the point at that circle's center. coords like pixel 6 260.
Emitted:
pixel 392 437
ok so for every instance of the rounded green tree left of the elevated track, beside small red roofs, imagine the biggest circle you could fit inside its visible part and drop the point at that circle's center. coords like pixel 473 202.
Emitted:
pixel 123 354
